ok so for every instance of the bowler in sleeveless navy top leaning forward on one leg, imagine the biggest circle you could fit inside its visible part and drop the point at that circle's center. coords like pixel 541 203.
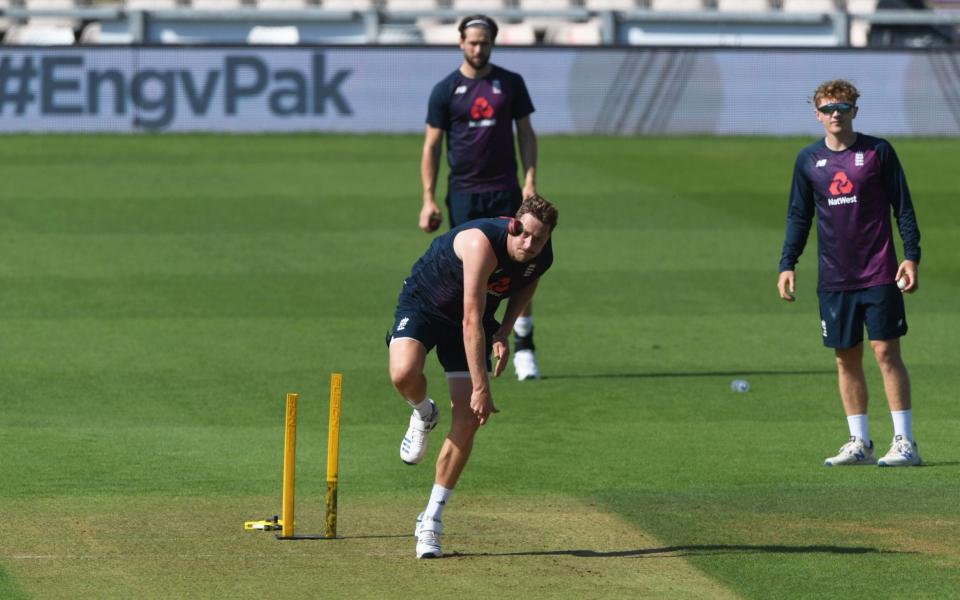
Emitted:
pixel 449 301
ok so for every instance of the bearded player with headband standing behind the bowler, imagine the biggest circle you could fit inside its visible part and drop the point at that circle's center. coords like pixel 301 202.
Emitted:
pixel 476 106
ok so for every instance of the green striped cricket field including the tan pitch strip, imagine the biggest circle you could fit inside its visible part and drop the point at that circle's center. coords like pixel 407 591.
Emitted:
pixel 159 295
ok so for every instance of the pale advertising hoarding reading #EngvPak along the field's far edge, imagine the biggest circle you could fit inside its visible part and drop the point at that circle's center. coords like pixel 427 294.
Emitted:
pixel 624 91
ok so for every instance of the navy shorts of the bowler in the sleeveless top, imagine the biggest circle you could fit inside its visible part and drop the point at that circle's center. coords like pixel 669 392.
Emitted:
pixel 431 331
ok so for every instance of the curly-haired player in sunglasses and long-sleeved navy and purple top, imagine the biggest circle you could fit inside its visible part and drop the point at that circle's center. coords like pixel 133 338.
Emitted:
pixel 852 183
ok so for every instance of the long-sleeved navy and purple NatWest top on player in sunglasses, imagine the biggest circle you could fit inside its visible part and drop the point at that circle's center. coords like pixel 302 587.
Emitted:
pixel 852 193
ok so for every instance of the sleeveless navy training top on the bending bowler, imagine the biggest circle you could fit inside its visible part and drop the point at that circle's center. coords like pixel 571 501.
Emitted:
pixel 436 280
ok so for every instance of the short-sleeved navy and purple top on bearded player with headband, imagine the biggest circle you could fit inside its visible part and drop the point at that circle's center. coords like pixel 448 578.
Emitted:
pixel 477 116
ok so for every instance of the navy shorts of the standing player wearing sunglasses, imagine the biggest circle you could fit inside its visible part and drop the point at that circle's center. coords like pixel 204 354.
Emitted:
pixel 843 315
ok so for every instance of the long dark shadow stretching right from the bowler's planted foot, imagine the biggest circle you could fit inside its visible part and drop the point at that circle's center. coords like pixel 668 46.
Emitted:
pixel 695 550
